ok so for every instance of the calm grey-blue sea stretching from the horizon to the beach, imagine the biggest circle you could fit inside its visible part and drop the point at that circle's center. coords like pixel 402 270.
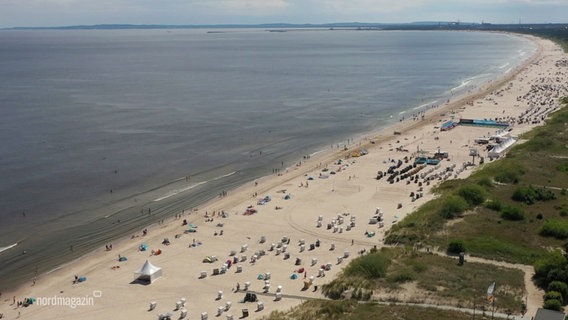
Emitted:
pixel 99 127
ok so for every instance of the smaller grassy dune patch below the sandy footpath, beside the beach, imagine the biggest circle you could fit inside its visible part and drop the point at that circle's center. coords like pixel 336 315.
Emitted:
pixel 435 278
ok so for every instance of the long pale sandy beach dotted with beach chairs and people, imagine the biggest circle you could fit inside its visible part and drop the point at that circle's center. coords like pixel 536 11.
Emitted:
pixel 326 199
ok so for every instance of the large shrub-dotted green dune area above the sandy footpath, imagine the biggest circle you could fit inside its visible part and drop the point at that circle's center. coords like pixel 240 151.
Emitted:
pixel 527 210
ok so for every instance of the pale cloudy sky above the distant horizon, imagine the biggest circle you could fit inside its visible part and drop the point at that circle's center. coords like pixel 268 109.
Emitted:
pixel 46 13
